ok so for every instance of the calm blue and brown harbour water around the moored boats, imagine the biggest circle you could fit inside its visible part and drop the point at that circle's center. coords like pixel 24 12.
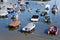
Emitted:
pixel 40 32
